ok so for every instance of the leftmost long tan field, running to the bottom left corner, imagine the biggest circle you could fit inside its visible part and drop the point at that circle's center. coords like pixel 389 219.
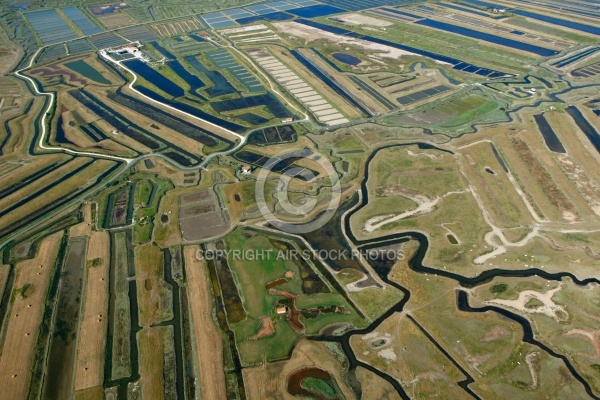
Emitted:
pixel 24 319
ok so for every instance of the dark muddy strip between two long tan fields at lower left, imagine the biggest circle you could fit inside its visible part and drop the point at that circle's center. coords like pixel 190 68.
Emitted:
pixel 60 376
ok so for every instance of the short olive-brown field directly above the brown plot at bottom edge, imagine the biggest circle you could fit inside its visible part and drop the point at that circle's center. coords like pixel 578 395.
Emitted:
pixel 154 294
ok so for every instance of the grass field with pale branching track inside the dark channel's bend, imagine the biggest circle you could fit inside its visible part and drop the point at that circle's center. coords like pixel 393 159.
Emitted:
pixel 447 208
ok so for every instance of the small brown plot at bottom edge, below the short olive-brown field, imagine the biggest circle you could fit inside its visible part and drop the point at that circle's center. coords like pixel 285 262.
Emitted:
pixel 151 343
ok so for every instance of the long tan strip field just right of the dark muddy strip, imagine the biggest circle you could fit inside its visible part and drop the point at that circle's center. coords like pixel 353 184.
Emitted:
pixel 90 353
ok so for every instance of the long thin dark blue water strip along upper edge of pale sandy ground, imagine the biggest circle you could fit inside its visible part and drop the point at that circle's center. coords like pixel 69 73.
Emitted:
pixel 455 62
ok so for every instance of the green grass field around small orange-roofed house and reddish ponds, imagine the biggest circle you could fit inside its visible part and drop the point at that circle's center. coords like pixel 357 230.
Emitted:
pixel 251 277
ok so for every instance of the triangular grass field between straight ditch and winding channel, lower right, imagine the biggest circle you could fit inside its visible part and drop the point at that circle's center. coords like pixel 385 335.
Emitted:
pixel 475 340
